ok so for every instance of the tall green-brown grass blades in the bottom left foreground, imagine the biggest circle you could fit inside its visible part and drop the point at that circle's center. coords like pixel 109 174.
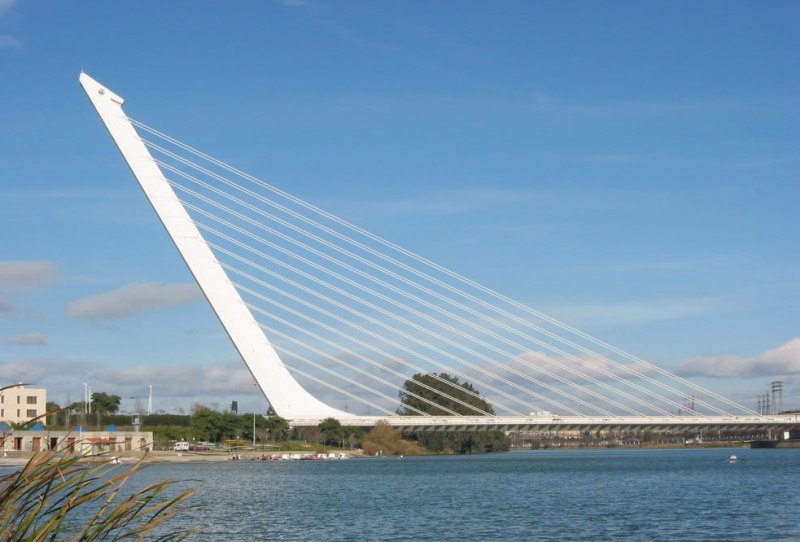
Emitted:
pixel 64 497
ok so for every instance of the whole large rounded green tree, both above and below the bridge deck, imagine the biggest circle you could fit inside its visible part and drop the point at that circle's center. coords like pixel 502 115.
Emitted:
pixel 466 400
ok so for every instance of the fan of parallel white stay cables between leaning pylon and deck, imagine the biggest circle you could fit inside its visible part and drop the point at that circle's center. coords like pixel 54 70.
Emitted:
pixel 353 316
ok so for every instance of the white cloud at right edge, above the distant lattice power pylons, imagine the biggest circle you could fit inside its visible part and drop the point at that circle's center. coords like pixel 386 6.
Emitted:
pixel 783 360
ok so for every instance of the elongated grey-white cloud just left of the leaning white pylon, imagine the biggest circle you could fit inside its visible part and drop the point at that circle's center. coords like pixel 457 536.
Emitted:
pixel 133 299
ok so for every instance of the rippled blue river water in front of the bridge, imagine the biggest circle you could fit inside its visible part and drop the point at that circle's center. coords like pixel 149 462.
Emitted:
pixel 616 494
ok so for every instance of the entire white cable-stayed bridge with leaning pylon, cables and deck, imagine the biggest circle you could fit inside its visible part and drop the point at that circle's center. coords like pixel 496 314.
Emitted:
pixel 352 317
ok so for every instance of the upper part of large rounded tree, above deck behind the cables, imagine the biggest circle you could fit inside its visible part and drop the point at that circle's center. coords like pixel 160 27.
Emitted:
pixel 443 384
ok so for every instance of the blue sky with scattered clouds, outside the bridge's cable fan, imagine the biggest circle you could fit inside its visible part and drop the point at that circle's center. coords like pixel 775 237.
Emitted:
pixel 630 168
